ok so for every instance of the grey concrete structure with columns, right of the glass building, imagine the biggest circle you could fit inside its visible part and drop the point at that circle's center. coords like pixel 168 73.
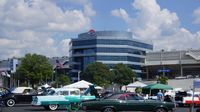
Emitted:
pixel 172 63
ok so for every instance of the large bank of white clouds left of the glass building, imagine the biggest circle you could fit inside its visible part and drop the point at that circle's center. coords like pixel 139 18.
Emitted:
pixel 30 26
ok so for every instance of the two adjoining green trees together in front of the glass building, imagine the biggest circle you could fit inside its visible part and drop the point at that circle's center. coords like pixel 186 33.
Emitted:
pixel 101 75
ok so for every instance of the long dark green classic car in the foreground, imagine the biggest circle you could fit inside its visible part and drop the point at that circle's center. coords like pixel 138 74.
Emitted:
pixel 127 102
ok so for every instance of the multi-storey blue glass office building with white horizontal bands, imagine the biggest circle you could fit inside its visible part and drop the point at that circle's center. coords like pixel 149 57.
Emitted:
pixel 110 48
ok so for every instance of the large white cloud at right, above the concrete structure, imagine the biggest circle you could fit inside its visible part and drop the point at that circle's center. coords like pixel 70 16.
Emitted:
pixel 160 26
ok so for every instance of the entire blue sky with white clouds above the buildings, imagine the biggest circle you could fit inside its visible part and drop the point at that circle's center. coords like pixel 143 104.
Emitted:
pixel 46 26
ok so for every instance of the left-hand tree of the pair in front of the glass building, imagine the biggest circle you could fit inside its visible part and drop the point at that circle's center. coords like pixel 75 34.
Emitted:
pixel 97 73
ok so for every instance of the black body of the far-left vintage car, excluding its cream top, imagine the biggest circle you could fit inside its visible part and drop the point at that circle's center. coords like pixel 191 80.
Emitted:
pixel 10 99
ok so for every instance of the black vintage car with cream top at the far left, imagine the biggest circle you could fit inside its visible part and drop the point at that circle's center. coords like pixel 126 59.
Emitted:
pixel 17 95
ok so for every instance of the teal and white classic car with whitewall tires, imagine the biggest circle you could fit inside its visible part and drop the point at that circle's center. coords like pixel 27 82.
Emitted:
pixel 61 97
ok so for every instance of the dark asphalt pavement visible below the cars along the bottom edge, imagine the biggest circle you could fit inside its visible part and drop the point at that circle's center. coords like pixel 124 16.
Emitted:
pixel 29 108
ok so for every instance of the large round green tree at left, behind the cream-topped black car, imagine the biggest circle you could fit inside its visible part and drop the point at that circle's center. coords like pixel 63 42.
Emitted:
pixel 34 69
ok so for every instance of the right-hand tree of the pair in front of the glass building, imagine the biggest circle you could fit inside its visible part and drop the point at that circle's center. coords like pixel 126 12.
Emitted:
pixel 123 75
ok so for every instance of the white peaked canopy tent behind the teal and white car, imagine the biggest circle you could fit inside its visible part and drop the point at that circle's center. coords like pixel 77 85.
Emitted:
pixel 81 85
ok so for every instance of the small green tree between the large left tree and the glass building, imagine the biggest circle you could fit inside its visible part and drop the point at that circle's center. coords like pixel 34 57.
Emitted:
pixel 63 80
